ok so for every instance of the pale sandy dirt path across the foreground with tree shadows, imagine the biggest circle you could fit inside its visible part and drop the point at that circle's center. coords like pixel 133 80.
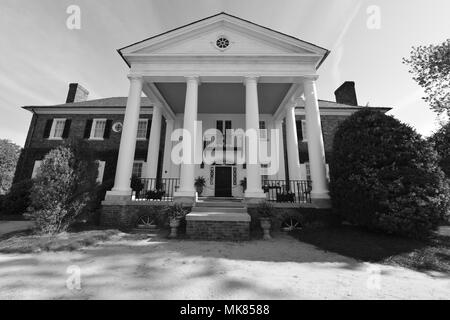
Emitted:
pixel 283 268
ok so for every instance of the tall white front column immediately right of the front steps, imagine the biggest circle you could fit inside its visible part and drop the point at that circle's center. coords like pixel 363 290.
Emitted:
pixel 254 189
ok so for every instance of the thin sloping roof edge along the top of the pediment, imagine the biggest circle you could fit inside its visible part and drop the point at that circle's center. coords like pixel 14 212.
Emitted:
pixel 327 52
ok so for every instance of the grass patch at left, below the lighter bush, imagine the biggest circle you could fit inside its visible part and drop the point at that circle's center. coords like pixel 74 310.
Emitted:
pixel 66 241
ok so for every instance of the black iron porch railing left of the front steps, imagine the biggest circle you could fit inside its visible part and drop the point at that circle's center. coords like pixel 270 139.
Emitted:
pixel 153 189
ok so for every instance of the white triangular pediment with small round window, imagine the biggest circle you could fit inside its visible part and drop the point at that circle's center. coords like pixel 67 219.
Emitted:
pixel 244 38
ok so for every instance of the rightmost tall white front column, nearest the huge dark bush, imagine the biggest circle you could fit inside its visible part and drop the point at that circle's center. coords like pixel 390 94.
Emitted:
pixel 316 148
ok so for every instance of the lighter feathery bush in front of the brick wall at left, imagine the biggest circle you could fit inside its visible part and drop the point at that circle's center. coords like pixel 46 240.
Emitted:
pixel 63 188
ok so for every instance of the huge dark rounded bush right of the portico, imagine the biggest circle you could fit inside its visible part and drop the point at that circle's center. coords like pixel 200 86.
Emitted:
pixel 384 176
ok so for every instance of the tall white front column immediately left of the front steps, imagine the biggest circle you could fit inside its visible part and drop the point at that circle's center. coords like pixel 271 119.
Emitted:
pixel 187 170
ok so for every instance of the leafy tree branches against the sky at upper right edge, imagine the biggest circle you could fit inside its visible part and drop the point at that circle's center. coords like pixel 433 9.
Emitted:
pixel 430 66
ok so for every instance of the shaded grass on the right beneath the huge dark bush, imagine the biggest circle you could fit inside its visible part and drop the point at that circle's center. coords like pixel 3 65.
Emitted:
pixel 428 255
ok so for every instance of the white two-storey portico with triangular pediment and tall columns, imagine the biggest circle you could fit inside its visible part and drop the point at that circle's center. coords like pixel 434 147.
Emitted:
pixel 225 70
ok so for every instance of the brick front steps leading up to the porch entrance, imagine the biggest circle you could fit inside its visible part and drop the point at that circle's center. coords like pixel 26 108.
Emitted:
pixel 218 219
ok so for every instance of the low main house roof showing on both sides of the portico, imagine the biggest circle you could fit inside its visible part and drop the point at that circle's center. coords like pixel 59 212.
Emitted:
pixel 121 102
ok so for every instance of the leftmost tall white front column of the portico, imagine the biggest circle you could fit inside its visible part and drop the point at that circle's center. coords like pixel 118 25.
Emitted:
pixel 128 140
